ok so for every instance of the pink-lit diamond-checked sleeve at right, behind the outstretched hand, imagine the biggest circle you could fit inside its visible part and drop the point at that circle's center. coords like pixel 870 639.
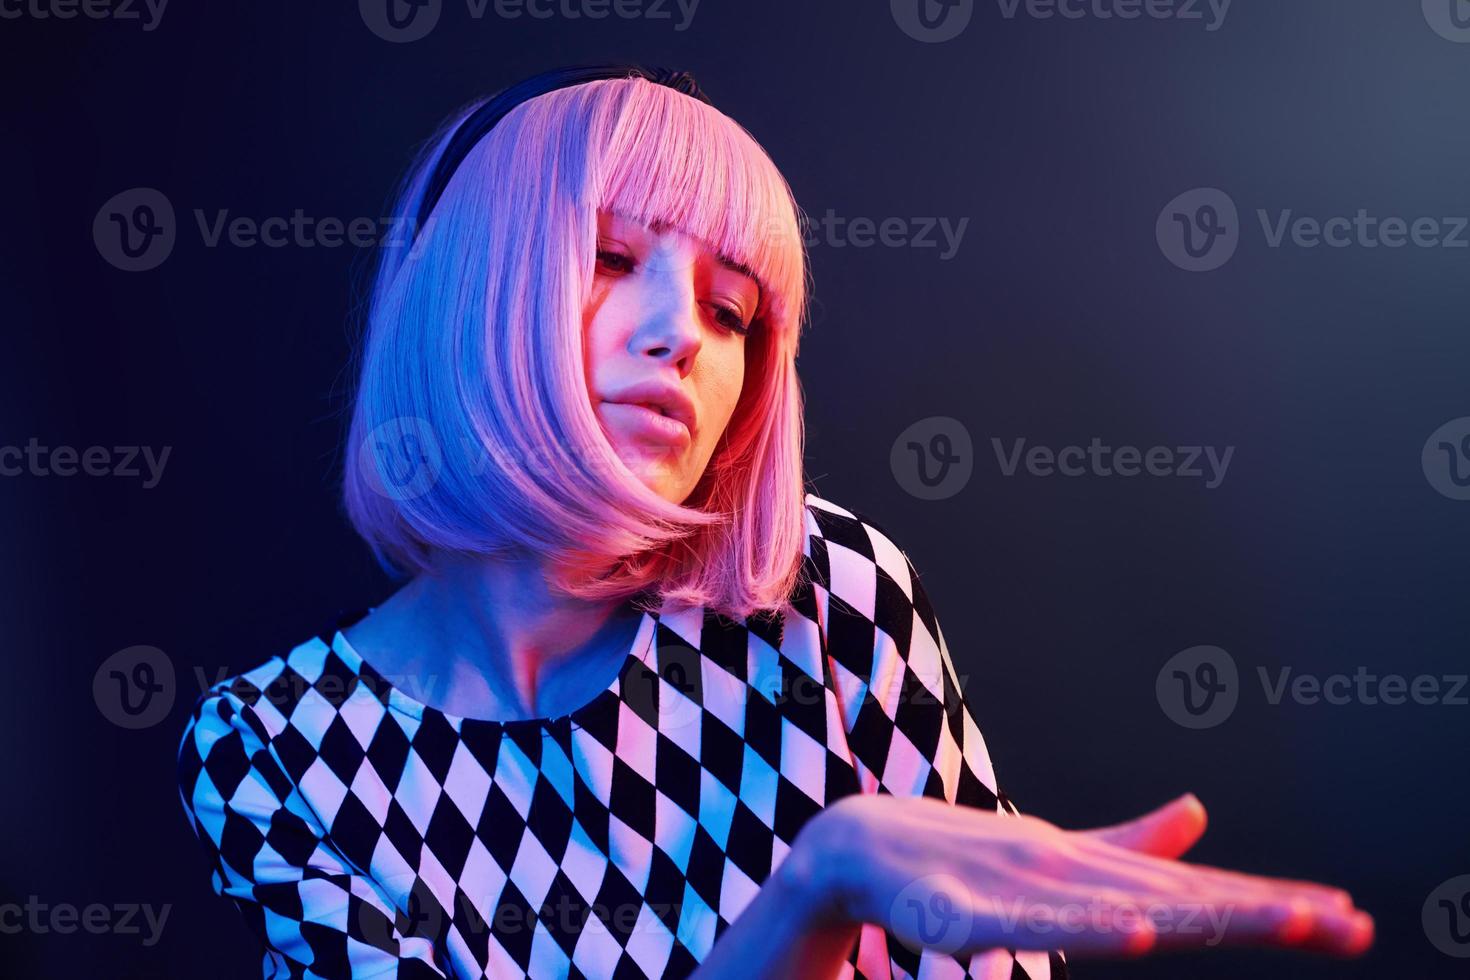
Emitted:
pixel 909 727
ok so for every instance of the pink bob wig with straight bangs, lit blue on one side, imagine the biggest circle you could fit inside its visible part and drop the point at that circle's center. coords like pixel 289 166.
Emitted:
pixel 473 430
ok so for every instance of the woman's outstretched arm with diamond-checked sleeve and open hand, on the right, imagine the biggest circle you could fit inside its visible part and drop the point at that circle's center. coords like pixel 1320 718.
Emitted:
pixel 933 834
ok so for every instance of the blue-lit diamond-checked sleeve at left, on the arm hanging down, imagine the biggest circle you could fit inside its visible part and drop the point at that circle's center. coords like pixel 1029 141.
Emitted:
pixel 268 853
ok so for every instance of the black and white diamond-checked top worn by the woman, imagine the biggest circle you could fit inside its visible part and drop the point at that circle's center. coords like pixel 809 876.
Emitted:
pixel 365 834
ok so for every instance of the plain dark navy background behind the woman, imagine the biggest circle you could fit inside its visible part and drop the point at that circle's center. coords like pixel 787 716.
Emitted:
pixel 1059 320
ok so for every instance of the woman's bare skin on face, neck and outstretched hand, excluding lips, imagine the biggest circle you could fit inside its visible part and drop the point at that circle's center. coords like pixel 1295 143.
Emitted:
pixel 505 647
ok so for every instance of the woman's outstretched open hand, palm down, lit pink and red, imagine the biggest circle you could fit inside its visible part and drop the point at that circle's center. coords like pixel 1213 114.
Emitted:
pixel 962 881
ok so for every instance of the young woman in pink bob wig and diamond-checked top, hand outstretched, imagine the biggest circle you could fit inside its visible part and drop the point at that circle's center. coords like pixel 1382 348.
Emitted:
pixel 646 707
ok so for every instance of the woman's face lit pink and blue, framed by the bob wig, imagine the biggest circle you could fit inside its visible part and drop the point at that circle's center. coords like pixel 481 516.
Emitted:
pixel 667 318
